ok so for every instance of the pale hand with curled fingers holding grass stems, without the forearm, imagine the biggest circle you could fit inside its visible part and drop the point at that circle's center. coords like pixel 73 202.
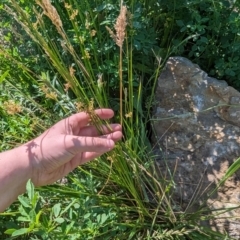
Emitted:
pixel 68 144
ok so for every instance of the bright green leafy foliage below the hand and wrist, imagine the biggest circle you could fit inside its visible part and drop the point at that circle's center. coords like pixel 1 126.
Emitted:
pixel 52 219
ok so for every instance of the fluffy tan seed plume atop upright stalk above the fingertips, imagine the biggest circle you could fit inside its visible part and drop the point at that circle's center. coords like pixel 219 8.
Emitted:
pixel 120 27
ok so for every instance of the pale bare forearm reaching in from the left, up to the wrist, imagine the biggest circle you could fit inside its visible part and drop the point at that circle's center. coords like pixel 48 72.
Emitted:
pixel 14 174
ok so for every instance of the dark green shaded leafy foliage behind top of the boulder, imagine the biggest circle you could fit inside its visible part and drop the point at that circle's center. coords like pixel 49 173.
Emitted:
pixel 214 25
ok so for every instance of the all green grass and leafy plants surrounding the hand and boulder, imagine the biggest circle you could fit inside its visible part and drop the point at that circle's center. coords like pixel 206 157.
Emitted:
pixel 79 55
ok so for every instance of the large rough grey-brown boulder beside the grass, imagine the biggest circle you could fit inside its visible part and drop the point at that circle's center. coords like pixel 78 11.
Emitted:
pixel 196 123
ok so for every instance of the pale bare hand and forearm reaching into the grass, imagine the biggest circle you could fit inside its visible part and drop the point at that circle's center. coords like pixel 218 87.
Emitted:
pixel 55 153
